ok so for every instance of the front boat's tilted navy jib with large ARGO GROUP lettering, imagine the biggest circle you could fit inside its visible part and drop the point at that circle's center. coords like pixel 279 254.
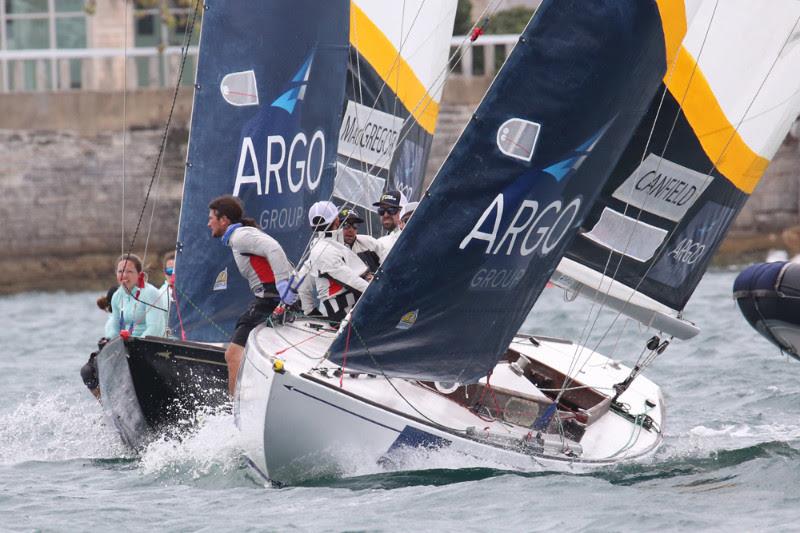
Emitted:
pixel 496 220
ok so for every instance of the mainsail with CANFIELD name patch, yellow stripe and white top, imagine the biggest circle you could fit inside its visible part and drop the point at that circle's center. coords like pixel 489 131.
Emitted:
pixel 728 102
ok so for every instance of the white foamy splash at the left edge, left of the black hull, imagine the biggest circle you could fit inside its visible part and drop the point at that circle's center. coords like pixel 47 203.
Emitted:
pixel 57 426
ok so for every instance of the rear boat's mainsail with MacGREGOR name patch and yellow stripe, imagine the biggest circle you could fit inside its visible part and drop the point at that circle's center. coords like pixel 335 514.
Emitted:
pixel 397 70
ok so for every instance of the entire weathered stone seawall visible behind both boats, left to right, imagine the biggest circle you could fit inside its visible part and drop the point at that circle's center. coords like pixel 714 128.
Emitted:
pixel 63 207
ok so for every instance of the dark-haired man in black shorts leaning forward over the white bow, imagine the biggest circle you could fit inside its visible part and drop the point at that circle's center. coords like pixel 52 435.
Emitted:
pixel 261 261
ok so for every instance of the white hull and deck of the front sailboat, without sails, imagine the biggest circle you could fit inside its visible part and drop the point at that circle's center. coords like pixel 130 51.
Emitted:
pixel 300 423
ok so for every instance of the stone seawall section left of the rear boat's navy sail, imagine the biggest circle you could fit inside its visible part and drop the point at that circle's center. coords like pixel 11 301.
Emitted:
pixel 64 203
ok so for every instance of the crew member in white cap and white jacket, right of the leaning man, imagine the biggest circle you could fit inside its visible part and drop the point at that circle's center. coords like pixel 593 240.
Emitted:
pixel 337 274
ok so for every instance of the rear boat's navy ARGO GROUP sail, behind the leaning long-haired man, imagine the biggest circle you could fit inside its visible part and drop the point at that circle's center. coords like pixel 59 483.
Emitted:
pixel 268 102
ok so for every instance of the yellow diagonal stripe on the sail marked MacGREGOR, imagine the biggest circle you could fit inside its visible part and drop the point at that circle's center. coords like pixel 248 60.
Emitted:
pixel 381 54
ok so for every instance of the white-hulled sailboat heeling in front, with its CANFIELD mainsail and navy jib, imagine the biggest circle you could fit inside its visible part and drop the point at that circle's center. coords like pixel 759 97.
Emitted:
pixel 611 154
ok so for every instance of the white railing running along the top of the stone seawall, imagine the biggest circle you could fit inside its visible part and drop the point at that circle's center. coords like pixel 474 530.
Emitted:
pixel 110 69
